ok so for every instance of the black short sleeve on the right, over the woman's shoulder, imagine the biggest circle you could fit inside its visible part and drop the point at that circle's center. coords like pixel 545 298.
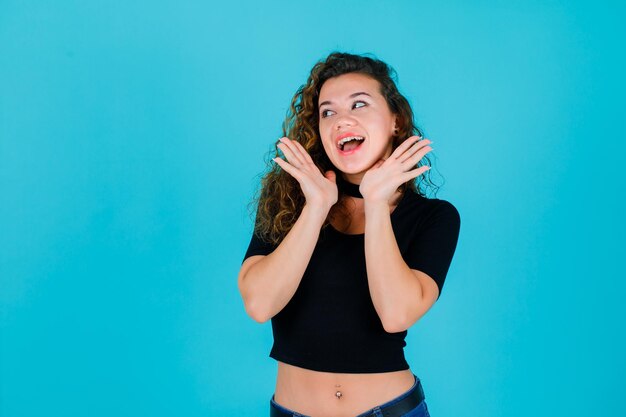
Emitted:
pixel 433 247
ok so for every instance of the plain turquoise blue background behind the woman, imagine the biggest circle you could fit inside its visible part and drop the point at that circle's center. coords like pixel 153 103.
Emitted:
pixel 131 139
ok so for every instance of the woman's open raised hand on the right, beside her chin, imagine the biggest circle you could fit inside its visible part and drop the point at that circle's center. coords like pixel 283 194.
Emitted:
pixel 381 181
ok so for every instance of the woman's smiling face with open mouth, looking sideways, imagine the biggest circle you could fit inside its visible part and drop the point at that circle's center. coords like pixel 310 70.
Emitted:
pixel 352 105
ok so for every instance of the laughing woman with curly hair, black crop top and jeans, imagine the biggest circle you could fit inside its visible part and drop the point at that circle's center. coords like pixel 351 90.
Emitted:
pixel 347 252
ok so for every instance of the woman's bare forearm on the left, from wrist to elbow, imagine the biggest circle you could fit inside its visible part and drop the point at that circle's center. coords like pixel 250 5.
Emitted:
pixel 270 283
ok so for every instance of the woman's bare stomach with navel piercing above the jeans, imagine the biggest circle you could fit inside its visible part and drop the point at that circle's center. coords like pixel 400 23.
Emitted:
pixel 314 393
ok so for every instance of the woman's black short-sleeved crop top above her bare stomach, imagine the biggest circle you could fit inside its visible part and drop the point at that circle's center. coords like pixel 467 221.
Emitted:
pixel 330 323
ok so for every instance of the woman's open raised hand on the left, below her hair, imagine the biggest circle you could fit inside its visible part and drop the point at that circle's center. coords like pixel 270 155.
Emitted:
pixel 319 190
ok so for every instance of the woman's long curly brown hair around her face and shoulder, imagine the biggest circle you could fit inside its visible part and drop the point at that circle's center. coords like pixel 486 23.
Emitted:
pixel 280 200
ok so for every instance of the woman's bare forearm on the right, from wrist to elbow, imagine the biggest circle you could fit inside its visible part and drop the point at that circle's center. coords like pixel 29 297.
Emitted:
pixel 394 288
